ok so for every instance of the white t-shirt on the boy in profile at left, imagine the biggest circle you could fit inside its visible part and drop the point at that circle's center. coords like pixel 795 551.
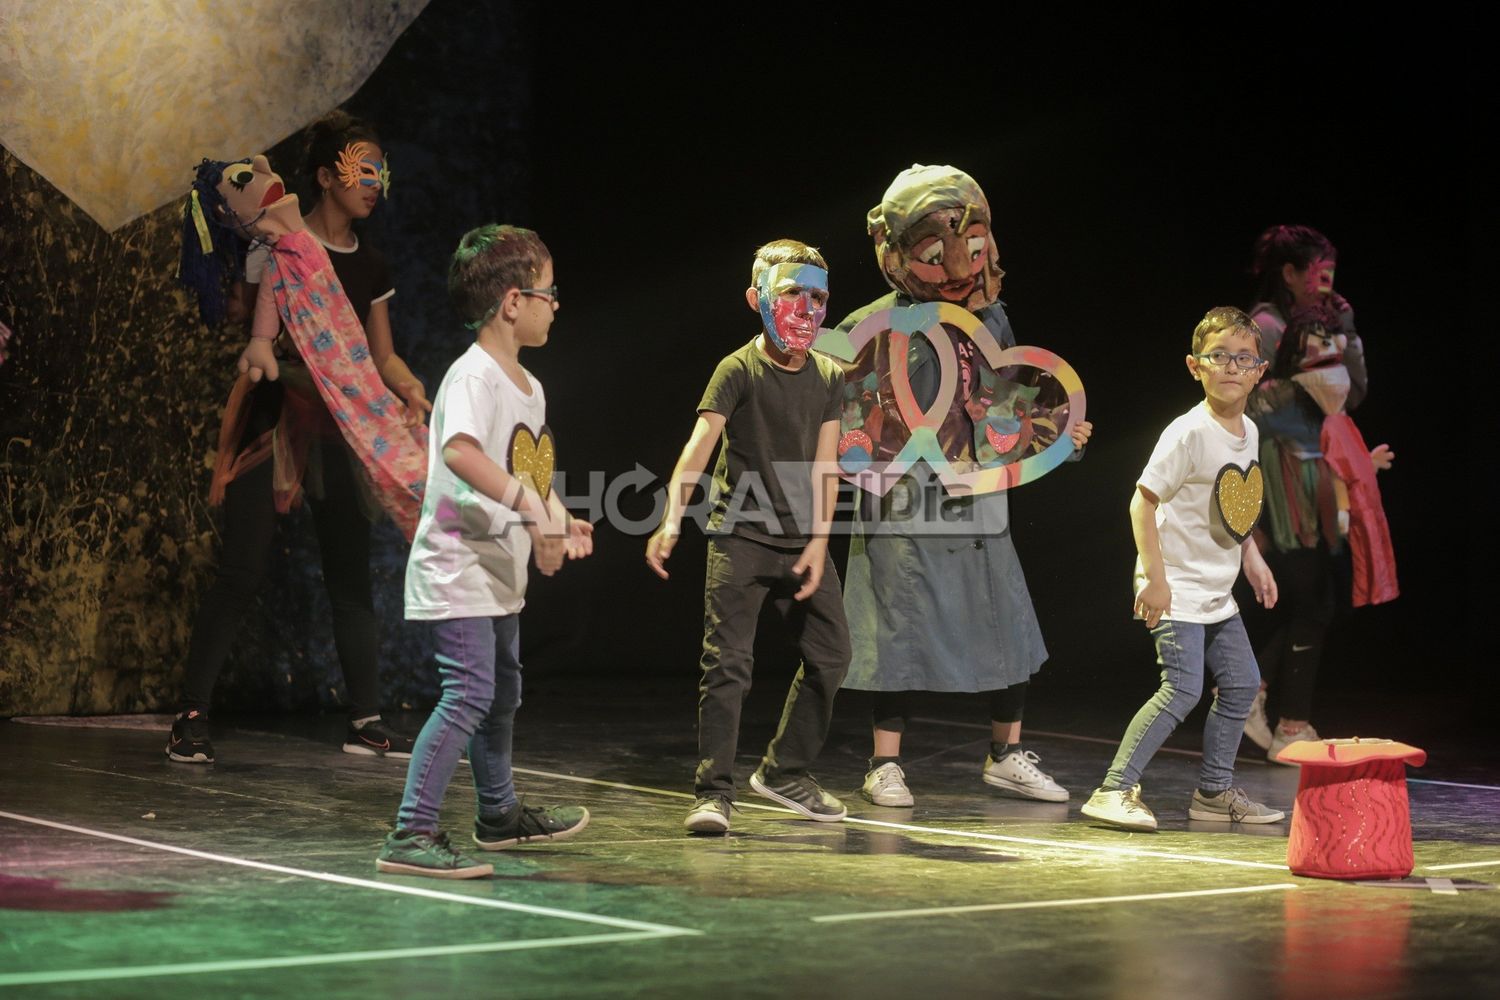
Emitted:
pixel 470 555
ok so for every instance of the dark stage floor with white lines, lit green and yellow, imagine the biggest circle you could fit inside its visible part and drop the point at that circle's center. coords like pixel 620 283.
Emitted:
pixel 125 875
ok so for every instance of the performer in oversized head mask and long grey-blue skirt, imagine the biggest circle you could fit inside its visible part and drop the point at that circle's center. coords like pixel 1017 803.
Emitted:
pixel 935 593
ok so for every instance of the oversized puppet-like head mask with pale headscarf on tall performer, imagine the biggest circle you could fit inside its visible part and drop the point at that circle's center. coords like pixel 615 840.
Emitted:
pixel 932 238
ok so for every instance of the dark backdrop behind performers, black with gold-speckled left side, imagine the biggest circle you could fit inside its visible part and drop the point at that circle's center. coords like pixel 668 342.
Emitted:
pixel 1129 163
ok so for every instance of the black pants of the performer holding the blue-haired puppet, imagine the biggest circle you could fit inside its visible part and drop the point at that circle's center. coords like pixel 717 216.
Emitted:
pixel 344 542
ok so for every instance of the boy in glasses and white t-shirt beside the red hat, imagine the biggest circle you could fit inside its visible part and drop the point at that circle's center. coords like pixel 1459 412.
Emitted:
pixel 1193 513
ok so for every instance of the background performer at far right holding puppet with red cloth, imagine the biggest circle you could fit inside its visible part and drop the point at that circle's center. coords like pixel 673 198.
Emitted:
pixel 1325 524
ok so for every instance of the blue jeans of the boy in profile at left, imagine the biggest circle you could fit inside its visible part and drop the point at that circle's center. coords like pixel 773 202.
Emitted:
pixel 481 671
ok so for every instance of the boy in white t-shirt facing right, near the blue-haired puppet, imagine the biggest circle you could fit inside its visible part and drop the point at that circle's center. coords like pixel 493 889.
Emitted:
pixel 490 507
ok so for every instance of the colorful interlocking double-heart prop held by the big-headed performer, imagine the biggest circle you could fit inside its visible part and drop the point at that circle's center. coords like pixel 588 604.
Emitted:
pixel 884 431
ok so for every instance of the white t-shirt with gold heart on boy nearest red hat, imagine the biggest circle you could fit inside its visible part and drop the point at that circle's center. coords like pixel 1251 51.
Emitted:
pixel 1198 549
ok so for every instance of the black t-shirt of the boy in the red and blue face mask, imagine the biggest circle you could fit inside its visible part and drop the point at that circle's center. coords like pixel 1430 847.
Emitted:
pixel 763 482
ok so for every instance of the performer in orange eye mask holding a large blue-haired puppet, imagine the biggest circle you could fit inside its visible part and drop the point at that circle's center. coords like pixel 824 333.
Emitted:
pixel 280 440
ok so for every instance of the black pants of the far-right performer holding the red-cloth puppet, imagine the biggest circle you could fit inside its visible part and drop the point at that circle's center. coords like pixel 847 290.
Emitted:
pixel 1292 653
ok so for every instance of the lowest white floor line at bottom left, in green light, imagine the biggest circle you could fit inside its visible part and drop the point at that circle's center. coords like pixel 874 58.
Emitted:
pixel 334 959
